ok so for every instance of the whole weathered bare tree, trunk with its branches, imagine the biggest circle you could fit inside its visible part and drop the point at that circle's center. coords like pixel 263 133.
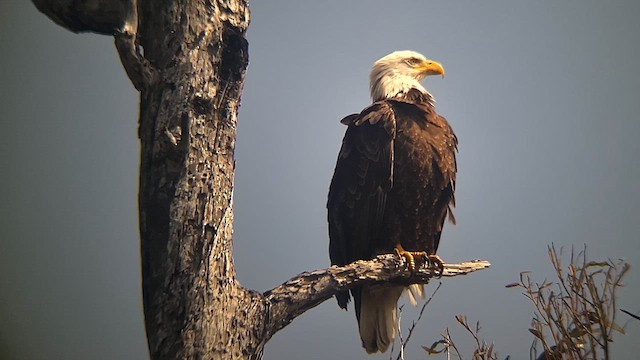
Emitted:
pixel 188 60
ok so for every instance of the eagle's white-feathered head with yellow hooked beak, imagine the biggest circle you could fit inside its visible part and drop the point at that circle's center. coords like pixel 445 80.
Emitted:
pixel 397 73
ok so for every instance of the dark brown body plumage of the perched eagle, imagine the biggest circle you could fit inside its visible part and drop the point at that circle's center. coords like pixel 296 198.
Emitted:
pixel 393 183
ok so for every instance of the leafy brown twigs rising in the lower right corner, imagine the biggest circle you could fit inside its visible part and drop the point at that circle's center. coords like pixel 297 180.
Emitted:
pixel 575 316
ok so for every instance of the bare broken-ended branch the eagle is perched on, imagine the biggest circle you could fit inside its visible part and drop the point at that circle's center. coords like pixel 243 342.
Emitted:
pixel 309 289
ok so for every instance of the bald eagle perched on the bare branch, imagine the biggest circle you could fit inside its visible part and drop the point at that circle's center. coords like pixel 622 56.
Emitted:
pixel 392 188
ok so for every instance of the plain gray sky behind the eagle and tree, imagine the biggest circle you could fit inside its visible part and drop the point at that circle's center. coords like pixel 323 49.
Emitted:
pixel 544 97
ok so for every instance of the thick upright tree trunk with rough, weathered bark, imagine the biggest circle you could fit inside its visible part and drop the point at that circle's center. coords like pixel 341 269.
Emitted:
pixel 194 306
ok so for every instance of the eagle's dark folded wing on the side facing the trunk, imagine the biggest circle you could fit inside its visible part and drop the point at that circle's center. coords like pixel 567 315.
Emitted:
pixel 363 176
